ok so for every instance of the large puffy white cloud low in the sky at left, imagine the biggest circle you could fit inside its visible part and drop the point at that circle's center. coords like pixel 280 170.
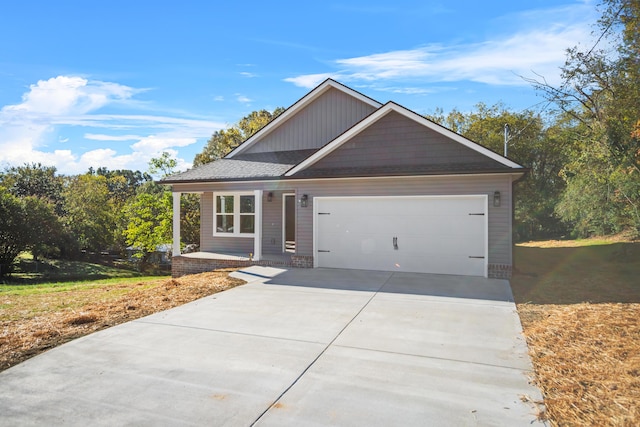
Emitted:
pixel 28 128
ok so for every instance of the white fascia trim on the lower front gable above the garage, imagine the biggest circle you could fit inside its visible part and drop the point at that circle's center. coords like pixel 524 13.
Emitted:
pixel 381 112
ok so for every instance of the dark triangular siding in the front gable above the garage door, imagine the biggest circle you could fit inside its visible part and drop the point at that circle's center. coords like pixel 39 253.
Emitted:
pixel 396 140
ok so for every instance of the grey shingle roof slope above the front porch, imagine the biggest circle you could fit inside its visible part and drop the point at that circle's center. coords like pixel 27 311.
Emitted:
pixel 250 166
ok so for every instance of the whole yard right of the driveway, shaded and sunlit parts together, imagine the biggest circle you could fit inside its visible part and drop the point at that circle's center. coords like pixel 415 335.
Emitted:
pixel 579 303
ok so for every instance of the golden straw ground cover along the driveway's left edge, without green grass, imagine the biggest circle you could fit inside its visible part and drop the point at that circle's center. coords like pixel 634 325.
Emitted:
pixel 25 335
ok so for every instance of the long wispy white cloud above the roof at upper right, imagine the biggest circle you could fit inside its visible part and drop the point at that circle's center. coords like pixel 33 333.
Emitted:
pixel 537 47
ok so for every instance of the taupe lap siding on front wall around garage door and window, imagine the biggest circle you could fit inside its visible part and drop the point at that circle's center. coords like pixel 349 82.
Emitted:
pixel 500 218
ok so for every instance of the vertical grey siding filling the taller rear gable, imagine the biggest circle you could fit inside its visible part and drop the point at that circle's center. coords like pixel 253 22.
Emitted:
pixel 316 124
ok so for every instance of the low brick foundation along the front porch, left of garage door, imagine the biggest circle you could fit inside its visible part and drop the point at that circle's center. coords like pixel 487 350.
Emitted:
pixel 181 266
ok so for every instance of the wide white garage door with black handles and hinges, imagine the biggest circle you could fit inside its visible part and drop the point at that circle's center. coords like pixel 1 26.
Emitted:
pixel 441 235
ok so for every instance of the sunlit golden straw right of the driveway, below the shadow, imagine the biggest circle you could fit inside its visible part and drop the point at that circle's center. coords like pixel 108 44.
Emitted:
pixel 587 361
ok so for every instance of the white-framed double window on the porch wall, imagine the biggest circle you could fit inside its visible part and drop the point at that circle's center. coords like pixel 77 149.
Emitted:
pixel 235 214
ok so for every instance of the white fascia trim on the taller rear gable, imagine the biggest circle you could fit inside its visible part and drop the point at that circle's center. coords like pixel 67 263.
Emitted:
pixel 295 108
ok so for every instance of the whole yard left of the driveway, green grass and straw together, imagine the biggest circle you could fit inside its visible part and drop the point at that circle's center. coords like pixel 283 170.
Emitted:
pixel 37 317
